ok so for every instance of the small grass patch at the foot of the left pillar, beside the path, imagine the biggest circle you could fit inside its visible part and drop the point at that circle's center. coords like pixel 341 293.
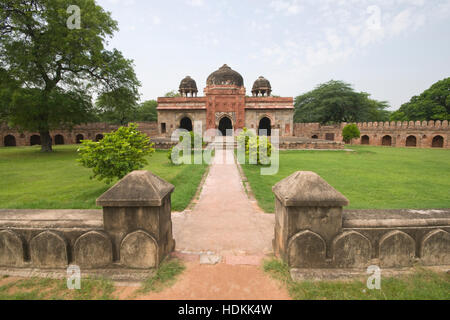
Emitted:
pixel 164 277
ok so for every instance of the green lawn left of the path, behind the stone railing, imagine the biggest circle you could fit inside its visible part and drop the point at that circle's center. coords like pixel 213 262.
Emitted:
pixel 30 179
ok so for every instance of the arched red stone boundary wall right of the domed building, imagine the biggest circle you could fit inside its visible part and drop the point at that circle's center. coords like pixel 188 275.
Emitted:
pixel 426 134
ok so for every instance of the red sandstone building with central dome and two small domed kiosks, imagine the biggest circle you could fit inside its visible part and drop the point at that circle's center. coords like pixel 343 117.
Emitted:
pixel 226 106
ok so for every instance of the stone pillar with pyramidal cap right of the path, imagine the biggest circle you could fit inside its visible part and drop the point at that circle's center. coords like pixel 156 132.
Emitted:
pixel 308 216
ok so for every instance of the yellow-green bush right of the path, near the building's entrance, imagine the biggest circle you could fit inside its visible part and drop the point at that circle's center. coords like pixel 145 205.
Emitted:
pixel 253 146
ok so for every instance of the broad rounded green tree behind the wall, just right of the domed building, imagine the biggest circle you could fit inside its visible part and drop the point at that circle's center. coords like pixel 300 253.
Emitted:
pixel 336 101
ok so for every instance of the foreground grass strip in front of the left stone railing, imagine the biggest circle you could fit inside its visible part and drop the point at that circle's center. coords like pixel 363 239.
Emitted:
pixel 50 289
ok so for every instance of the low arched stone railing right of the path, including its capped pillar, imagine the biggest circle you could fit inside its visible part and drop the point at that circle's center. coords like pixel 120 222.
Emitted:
pixel 312 231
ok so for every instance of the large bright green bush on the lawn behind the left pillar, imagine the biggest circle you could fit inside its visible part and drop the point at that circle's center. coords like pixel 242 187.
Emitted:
pixel 117 154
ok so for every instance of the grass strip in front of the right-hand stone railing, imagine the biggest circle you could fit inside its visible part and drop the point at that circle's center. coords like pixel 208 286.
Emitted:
pixel 422 284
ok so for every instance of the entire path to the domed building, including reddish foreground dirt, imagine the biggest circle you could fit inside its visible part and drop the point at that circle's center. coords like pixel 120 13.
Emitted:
pixel 224 227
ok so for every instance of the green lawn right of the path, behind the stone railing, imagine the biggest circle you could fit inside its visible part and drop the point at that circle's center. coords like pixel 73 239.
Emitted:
pixel 370 177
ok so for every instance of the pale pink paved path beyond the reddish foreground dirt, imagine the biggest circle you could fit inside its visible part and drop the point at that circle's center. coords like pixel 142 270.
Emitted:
pixel 224 221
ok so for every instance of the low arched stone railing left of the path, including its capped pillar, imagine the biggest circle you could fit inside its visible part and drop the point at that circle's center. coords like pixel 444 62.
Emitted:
pixel 135 231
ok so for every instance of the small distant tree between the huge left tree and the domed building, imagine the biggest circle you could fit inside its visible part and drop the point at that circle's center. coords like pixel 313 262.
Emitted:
pixel 118 106
